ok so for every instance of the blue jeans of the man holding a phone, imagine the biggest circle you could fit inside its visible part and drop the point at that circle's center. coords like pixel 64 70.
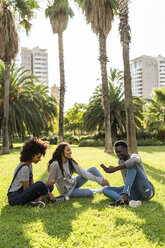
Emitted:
pixel 136 186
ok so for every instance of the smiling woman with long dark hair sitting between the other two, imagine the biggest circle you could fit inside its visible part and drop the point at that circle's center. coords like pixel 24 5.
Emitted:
pixel 61 167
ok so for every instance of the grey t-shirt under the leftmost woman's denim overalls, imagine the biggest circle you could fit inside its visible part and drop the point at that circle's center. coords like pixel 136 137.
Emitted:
pixel 23 175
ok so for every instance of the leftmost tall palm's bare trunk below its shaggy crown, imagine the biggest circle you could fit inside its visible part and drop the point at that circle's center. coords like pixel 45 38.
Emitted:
pixel 5 130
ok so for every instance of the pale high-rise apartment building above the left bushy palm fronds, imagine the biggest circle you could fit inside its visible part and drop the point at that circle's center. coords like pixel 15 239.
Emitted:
pixel 37 61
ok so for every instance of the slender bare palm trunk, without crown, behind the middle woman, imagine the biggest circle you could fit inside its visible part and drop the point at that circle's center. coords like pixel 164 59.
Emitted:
pixel 62 88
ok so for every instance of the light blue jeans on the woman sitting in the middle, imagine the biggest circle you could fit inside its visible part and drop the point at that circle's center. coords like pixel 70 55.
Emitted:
pixel 81 181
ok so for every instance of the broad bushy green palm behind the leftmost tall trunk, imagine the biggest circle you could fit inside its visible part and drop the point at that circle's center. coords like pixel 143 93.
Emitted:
pixel 31 108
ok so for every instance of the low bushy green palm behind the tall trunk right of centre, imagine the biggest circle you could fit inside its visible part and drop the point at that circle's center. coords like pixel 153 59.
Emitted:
pixel 94 114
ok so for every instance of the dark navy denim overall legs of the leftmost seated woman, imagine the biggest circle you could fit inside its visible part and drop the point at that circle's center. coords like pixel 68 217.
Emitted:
pixel 22 197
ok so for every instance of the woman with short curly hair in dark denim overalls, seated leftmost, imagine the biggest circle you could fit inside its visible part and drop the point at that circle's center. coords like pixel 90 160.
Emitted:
pixel 22 189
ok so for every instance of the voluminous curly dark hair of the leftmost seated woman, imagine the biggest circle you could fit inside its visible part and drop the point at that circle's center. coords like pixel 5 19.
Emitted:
pixel 33 147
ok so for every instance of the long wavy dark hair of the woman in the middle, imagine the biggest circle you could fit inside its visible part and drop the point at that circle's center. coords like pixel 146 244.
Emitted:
pixel 57 156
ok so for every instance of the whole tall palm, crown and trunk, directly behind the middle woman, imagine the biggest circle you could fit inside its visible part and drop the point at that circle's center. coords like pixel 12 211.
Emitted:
pixel 59 14
